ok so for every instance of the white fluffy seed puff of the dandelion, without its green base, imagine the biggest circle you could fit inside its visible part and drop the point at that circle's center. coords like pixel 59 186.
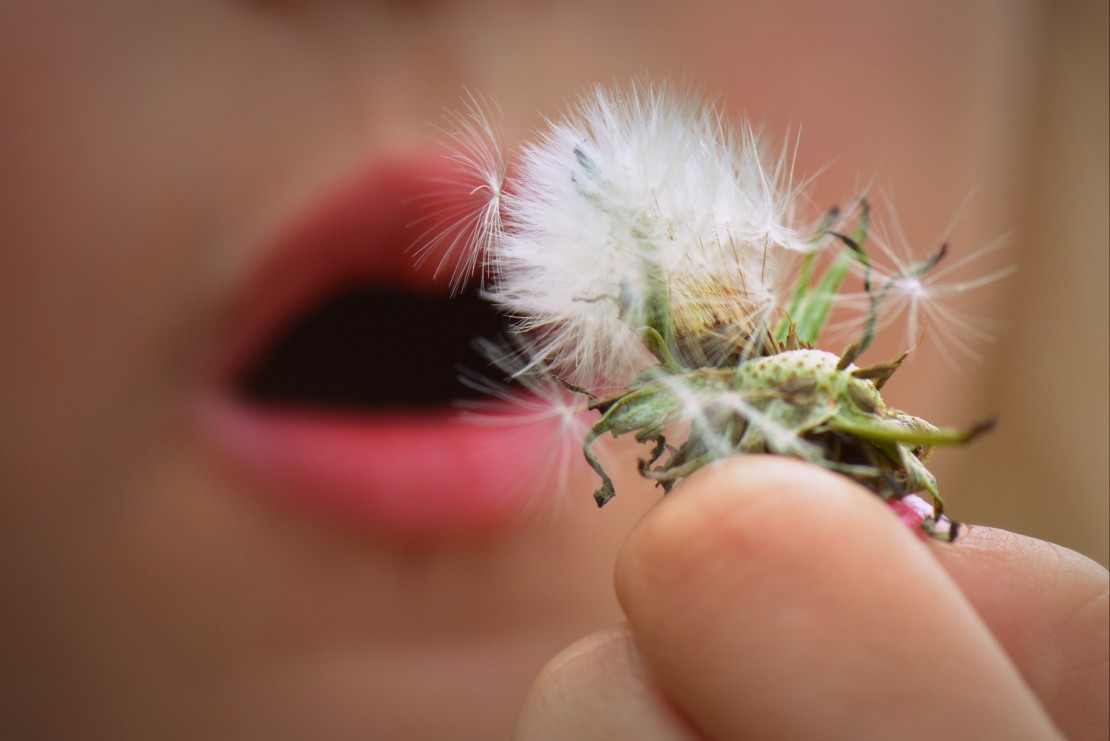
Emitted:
pixel 631 195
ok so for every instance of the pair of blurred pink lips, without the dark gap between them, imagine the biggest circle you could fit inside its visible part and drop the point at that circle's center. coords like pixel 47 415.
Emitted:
pixel 410 474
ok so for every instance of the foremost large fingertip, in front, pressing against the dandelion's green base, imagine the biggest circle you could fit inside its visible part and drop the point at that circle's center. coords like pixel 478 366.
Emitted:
pixel 773 600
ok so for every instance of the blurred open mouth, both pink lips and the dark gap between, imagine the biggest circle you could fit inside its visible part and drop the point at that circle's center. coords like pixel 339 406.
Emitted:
pixel 341 369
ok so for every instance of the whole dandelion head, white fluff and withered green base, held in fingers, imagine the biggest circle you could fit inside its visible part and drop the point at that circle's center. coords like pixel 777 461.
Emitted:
pixel 654 262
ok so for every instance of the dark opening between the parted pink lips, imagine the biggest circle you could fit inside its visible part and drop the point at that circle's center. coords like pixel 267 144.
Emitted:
pixel 372 348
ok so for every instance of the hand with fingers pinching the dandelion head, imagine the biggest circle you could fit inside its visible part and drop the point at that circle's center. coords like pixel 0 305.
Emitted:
pixel 771 600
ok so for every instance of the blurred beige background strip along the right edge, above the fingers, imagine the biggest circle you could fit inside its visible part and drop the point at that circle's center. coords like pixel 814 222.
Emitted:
pixel 1045 471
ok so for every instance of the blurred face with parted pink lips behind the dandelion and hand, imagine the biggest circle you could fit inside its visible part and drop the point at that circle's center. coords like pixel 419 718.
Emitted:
pixel 186 182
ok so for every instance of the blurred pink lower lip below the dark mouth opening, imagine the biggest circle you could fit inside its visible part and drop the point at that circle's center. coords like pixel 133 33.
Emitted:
pixel 402 474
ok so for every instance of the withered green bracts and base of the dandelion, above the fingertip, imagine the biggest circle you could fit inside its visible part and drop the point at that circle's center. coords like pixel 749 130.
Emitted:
pixel 743 390
